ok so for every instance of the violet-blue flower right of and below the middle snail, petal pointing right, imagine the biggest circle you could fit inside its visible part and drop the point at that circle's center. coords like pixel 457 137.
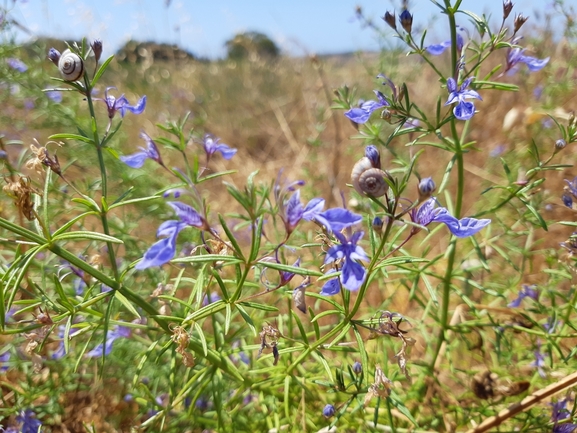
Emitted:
pixel 428 213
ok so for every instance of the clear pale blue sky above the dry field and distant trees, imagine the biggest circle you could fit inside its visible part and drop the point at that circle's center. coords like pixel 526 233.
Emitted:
pixel 202 27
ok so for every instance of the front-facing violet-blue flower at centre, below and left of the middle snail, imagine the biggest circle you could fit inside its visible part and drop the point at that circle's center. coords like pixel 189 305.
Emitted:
pixel 352 273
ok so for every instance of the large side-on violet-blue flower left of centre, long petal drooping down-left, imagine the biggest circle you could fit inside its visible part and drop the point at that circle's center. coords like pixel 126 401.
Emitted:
pixel 165 249
